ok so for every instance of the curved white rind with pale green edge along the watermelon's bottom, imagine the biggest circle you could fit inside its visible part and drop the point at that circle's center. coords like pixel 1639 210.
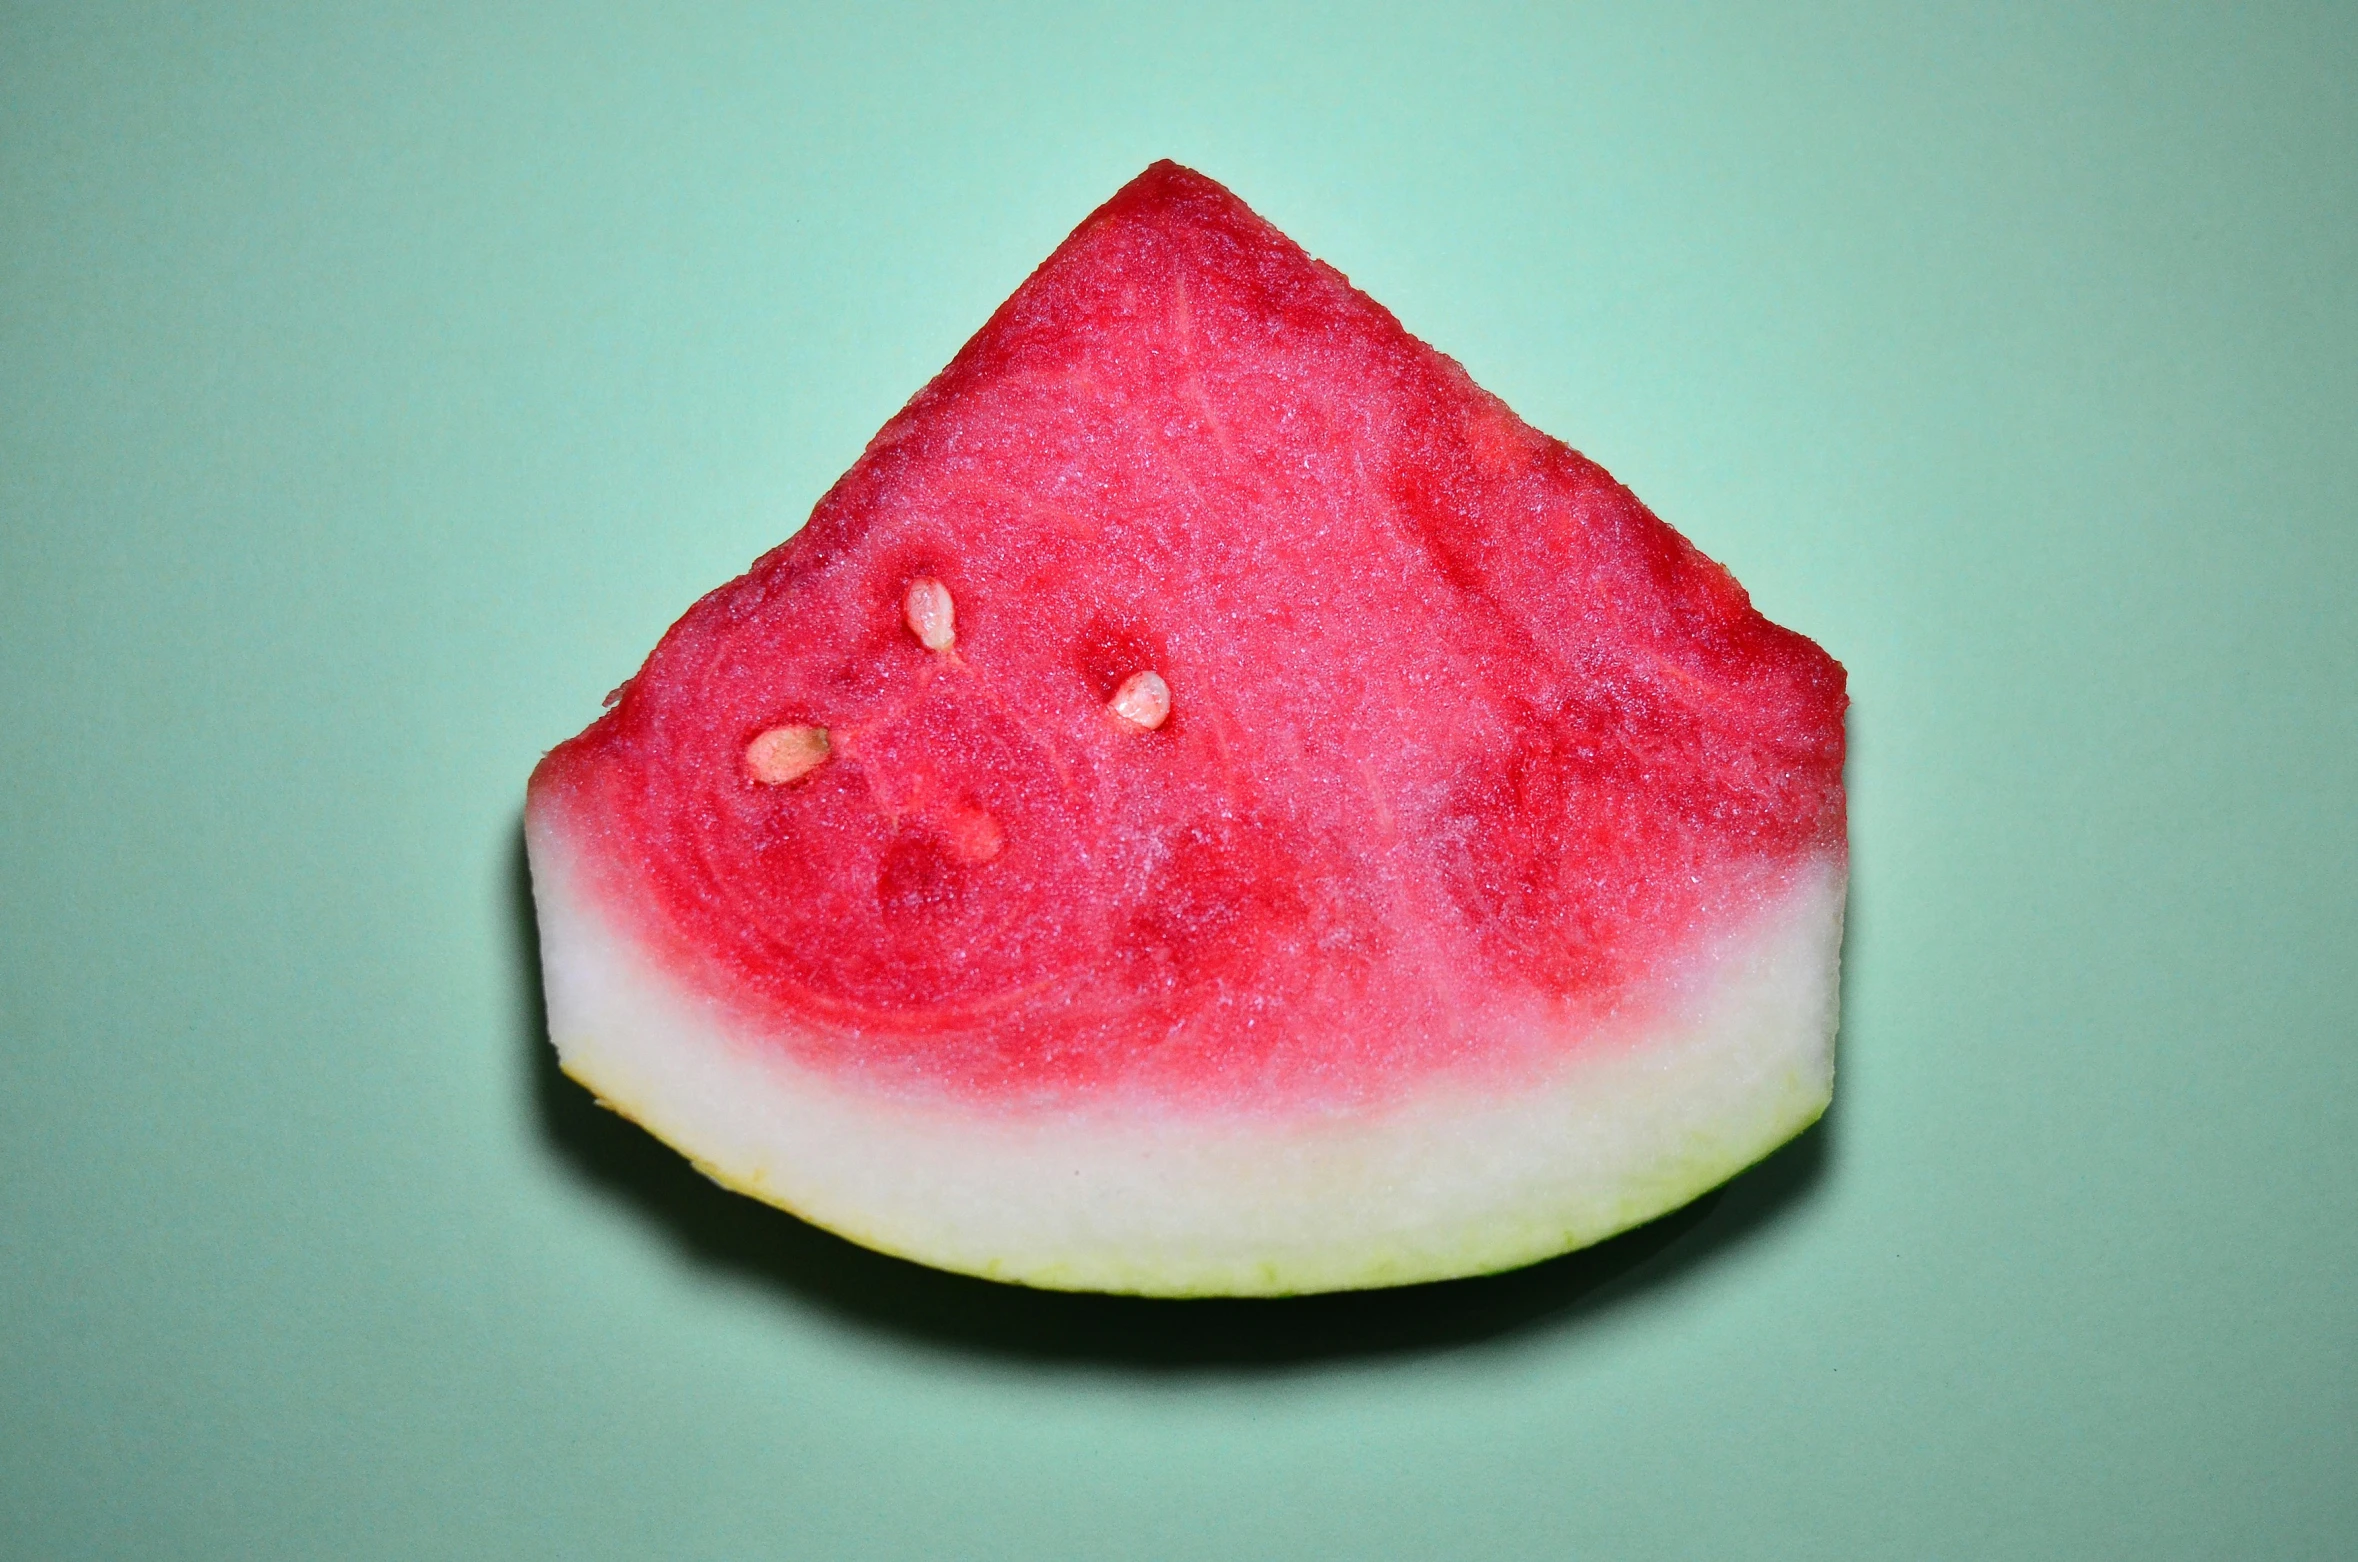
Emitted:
pixel 1180 1205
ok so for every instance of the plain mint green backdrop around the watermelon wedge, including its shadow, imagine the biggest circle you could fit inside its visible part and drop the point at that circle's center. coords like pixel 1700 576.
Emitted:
pixel 376 390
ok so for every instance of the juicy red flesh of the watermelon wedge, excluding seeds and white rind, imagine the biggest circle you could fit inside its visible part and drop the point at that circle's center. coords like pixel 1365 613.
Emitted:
pixel 1463 742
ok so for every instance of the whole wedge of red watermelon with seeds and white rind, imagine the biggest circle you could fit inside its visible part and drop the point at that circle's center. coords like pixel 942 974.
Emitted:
pixel 1211 803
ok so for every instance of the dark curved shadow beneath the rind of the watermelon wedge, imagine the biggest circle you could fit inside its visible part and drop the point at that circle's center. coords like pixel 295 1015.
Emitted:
pixel 777 1252
